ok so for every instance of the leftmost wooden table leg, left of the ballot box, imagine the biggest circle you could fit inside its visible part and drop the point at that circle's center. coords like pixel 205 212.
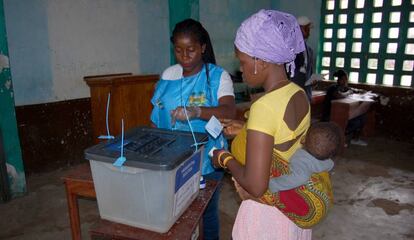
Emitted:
pixel 73 212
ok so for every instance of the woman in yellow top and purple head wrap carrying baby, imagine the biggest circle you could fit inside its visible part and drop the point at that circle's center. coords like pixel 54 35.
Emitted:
pixel 266 45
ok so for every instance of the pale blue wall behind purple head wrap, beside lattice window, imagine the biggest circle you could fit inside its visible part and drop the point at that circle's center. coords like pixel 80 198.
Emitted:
pixel 222 18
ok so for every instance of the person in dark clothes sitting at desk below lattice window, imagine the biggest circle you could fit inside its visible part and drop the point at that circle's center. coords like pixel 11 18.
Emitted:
pixel 341 90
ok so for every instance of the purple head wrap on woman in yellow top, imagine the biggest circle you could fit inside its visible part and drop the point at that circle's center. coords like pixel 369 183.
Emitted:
pixel 272 36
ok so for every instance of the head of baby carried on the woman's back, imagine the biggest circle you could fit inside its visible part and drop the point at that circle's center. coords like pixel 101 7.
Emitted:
pixel 323 140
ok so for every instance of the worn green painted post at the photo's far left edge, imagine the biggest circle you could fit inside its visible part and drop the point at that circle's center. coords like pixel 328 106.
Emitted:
pixel 8 118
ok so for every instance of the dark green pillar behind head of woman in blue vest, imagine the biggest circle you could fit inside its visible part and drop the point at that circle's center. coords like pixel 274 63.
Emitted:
pixel 180 10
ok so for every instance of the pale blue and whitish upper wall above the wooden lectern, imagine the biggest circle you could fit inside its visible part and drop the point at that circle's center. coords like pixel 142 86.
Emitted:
pixel 54 43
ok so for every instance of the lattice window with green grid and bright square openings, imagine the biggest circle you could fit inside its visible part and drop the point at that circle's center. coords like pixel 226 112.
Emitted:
pixel 373 40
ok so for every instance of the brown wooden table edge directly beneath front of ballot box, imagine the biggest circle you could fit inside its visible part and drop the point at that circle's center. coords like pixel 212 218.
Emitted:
pixel 184 227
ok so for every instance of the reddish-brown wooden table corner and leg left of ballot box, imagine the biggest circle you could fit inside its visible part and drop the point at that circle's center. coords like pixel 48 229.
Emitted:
pixel 78 183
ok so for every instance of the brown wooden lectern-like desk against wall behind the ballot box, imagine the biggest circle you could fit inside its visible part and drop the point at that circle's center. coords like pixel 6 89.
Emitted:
pixel 130 100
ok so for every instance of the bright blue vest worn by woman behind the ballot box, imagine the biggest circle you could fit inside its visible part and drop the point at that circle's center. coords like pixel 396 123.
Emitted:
pixel 189 91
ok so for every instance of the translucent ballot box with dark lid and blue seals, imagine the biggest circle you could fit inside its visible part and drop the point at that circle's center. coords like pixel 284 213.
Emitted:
pixel 157 182
